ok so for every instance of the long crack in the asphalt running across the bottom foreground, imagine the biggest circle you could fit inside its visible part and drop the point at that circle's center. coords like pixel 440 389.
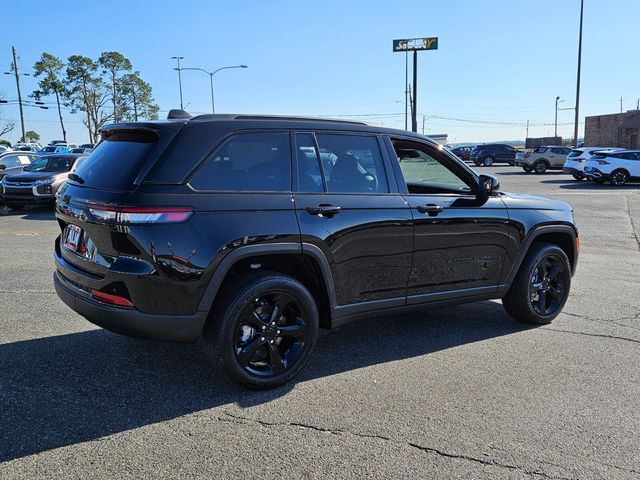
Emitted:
pixel 250 421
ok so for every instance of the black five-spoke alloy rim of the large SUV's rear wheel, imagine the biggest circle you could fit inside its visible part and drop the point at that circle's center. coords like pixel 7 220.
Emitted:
pixel 271 334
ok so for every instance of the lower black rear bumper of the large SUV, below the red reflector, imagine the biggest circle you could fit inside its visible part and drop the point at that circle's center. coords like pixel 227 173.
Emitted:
pixel 125 321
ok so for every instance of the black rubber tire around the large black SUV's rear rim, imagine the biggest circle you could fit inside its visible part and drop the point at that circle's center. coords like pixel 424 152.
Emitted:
pixel 228 360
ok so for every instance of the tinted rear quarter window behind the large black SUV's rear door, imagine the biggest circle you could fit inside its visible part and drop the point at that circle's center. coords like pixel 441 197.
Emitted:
pixel 248 162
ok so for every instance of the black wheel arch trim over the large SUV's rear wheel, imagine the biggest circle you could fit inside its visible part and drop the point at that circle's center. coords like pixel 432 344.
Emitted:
pixel 304 262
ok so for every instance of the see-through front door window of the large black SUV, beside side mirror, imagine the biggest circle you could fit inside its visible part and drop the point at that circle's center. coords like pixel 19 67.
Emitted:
pixel 424 172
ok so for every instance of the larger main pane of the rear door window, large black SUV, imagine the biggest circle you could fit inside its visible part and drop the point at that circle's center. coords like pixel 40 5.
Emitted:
pixel 352 163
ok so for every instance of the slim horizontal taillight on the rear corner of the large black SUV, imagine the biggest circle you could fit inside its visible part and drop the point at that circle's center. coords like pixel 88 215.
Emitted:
pixel 137 215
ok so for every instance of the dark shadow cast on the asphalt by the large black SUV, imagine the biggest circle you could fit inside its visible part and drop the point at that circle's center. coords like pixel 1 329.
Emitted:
pixel 69 389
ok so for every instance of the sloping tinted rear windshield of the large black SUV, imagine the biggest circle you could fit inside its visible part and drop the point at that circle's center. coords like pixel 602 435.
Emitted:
pixel 115 163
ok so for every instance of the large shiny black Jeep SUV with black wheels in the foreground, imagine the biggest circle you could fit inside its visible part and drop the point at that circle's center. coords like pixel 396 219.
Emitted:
pixel 252 232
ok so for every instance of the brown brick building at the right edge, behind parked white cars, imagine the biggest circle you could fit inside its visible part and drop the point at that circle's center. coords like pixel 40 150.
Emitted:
pixel 614 130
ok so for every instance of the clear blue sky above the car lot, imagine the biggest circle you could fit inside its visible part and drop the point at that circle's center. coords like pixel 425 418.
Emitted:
pixel 499 63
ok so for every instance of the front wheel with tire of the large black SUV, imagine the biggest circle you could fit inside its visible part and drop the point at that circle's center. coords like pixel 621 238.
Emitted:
pixel 541 287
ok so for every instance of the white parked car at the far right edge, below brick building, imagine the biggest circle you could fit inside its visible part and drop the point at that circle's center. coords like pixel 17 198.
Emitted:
pixel 618 166
